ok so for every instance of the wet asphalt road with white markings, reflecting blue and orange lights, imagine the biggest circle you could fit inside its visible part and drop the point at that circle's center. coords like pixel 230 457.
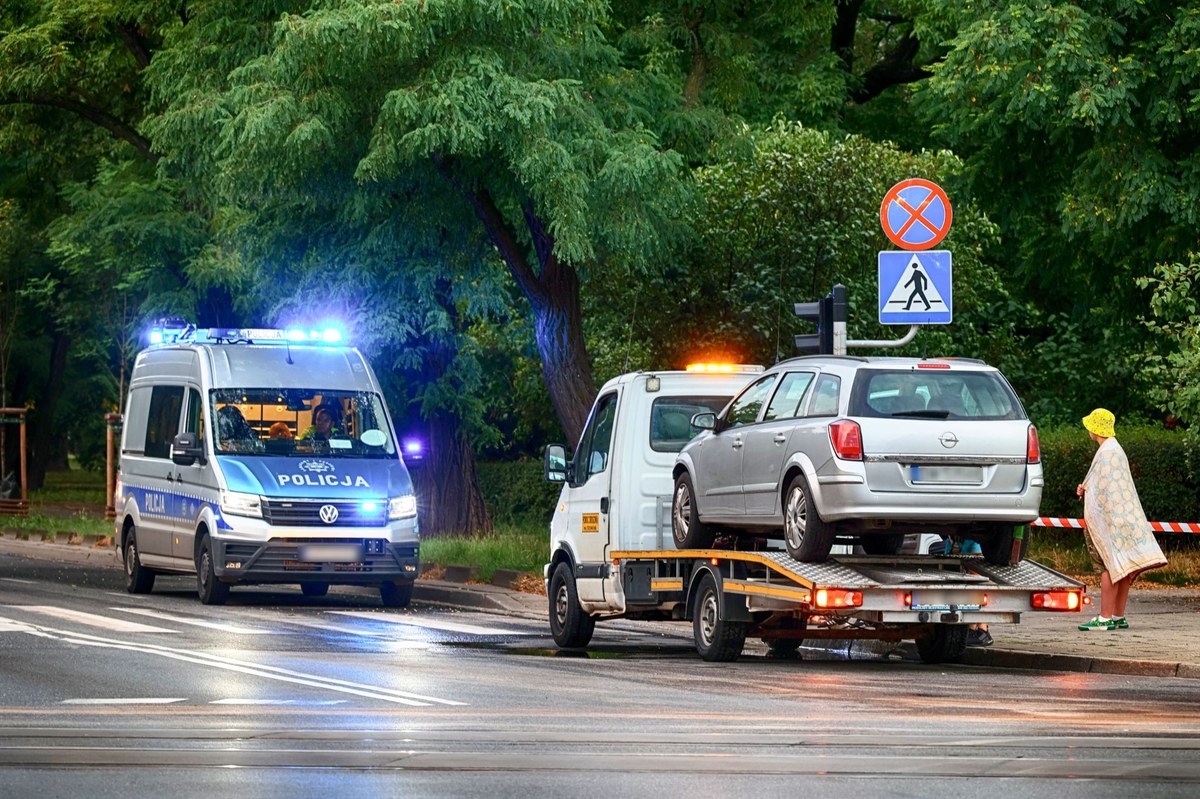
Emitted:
pixel 104 694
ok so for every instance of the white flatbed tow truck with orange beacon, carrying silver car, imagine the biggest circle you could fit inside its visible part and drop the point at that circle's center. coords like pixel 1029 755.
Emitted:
pixel 613 554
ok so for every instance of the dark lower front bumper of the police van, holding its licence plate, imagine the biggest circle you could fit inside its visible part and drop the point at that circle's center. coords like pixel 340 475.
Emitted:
pixel 346 562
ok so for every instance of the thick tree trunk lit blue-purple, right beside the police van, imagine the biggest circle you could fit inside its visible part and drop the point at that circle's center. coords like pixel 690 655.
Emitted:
pixel 448 497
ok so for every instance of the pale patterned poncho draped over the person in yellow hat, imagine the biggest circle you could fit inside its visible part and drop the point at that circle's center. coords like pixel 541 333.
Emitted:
pixel 1118 532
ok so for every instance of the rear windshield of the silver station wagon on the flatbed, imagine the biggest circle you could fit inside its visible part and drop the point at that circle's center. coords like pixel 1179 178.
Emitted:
pixel 934 394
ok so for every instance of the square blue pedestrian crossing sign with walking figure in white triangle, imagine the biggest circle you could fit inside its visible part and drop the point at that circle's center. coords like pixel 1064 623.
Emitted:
pixel 915 289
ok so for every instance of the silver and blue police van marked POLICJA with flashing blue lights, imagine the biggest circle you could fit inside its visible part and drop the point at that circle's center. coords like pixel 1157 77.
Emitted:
pixel 262 456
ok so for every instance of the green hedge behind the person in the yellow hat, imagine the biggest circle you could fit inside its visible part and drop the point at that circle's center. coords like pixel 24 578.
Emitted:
pixel 1159 461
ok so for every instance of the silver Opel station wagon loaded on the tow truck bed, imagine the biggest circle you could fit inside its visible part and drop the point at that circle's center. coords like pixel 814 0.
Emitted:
pixel 863 449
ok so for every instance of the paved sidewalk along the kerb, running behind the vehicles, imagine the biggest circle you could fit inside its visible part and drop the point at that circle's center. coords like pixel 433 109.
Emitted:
pixel 1163 639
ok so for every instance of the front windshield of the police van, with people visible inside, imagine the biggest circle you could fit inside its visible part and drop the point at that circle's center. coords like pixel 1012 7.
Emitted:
pixel 301 423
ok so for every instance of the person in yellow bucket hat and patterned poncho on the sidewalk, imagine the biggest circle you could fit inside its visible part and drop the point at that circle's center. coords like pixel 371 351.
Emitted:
pixel 1119 537
